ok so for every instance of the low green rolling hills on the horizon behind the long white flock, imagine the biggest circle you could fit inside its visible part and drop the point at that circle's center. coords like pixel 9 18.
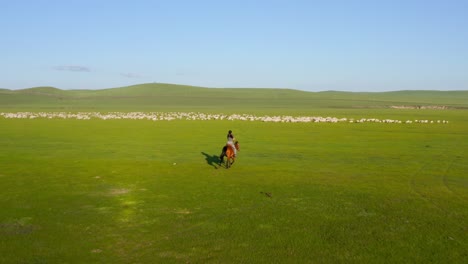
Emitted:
pixel 171 97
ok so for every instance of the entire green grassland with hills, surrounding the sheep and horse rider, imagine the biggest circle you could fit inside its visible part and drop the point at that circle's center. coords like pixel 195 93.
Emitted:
pixel 141 191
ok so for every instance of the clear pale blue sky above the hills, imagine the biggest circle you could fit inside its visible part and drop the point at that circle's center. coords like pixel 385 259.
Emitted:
pixel 347 45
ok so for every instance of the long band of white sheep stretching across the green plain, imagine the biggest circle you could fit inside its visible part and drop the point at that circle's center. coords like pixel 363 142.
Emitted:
pixel 162 116
